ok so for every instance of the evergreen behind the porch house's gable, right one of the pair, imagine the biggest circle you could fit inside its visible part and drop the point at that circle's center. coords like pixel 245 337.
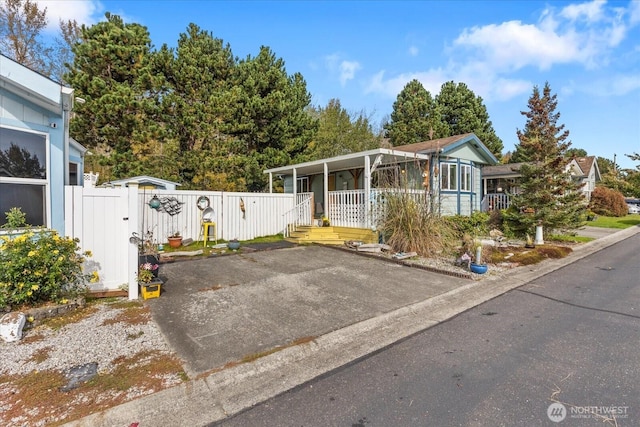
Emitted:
pixel 464 112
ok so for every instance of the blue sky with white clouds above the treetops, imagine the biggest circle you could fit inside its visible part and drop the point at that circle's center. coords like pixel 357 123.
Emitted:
pixel 364 52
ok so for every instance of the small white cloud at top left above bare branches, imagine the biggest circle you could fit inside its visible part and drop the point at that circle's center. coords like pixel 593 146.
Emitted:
pixel 84 12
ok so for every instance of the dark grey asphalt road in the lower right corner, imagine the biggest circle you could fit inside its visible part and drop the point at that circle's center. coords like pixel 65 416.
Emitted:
pixel 570 337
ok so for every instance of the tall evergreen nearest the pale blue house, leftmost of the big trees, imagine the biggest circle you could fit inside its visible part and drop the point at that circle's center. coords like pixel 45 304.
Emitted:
pixel 112 71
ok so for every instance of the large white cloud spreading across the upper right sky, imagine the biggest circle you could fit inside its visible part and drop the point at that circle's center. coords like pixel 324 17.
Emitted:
pixel 488 57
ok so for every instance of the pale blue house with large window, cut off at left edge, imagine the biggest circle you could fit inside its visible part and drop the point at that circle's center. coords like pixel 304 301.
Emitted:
pixel 37 156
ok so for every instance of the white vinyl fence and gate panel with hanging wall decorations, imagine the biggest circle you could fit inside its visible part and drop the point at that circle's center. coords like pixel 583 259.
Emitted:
pixel 104 219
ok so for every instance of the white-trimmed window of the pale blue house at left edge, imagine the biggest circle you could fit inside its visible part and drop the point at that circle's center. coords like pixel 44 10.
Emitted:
pixel 23 174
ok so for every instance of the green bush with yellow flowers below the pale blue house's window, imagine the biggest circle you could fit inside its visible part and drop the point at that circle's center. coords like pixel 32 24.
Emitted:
pixel 40 266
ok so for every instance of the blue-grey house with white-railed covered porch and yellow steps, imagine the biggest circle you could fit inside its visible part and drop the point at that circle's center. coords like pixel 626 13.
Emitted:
pixel 347 189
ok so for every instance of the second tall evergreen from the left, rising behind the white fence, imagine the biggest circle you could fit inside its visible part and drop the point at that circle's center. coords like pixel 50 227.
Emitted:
pixel 196 108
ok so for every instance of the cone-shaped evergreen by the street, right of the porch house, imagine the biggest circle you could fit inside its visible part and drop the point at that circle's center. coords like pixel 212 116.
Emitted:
pixel 549 196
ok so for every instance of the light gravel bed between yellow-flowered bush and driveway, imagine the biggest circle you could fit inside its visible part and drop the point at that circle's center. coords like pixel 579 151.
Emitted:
pixel 88 340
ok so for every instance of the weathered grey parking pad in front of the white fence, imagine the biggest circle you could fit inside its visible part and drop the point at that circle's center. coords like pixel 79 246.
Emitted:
pixel 220 310
